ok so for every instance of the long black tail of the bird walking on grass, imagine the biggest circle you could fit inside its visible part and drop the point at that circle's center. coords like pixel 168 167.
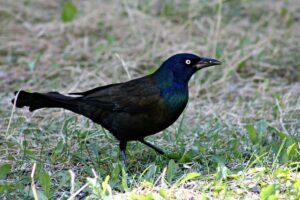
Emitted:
pixel 45 100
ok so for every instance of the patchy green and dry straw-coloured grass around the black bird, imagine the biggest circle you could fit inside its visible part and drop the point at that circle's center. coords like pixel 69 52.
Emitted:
pixel 237 139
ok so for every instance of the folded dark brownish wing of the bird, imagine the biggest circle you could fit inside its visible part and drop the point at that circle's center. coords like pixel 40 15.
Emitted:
pixel 135 96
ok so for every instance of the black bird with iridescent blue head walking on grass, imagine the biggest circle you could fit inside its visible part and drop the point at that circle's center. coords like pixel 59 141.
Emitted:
pixel 130 110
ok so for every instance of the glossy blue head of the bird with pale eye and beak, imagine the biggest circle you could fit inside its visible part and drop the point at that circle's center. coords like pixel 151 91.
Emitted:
pixel 182 66
